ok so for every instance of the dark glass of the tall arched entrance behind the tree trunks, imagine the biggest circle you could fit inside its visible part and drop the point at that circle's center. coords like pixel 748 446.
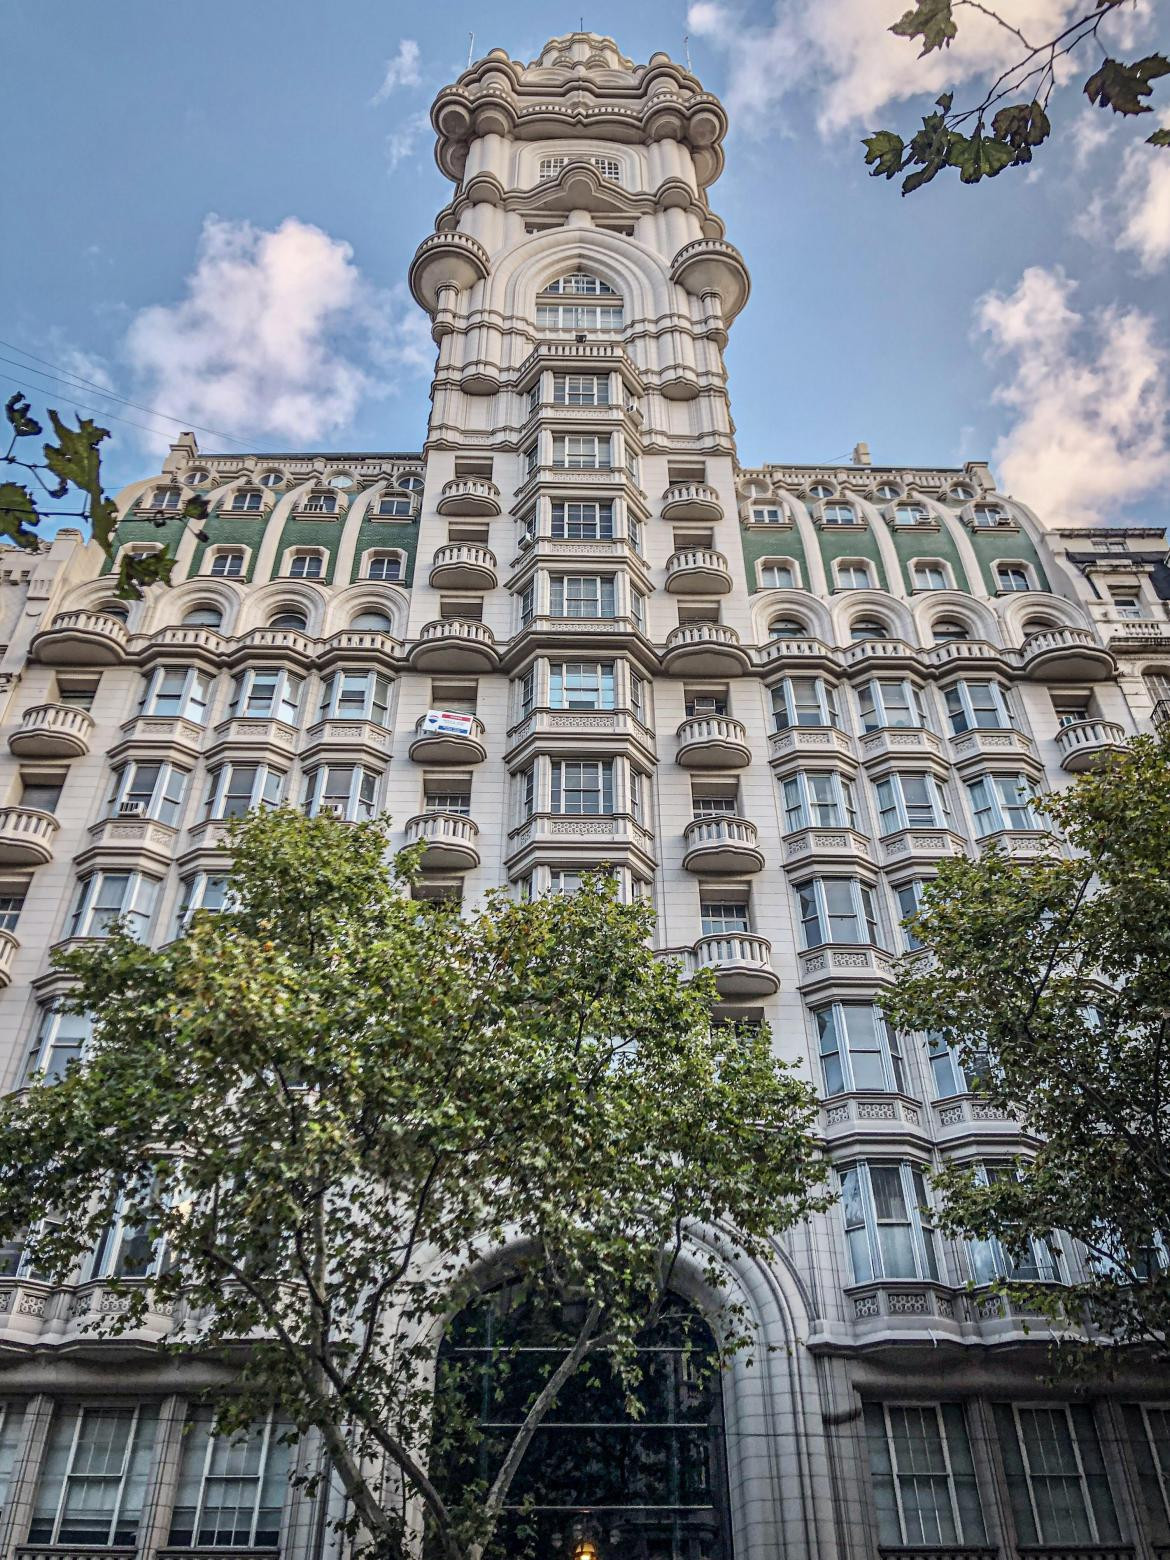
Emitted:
pixel 650 1487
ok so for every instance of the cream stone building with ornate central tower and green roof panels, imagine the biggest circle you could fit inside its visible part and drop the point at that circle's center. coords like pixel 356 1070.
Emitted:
pixel 770 700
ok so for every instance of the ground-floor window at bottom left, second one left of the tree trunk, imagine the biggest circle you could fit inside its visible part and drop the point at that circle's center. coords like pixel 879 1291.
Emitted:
pixel 94 1478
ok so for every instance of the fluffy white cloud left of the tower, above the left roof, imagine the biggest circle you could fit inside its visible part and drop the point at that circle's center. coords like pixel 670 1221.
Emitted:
pixel 278 336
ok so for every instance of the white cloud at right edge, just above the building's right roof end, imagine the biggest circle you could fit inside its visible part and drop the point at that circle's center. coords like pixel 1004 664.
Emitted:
pixel 1091 400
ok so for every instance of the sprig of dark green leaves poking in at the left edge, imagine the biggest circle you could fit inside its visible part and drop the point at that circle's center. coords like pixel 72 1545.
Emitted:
pixel 76 466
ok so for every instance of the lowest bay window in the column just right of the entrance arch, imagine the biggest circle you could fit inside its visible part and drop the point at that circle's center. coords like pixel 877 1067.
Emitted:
pixel 888 1224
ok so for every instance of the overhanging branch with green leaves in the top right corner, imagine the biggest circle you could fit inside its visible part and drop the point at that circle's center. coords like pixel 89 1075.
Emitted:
pixel 1005 129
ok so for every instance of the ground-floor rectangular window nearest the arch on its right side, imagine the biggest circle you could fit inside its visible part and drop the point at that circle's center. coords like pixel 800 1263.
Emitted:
pixel 924 1478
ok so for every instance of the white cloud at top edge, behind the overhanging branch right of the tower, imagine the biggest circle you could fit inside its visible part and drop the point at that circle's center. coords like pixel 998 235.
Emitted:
pixel 845 54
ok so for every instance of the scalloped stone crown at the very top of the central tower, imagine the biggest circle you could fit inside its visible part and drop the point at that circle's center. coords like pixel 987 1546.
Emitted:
pixel 580 88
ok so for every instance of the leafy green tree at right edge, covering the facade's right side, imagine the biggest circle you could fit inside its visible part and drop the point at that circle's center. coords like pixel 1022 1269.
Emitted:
pixel 1052 980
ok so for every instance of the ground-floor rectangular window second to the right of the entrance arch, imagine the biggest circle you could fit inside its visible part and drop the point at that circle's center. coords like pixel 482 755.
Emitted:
pixel 1057 1480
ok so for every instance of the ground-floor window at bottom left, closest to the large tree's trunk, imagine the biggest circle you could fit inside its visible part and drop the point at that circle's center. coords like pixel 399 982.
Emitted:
pixel 232 1489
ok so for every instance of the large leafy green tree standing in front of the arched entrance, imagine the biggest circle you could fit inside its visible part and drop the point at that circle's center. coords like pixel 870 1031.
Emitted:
pixel 331 1105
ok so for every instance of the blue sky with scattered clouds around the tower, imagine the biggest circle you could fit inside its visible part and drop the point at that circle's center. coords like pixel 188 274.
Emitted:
pixel 218 211
